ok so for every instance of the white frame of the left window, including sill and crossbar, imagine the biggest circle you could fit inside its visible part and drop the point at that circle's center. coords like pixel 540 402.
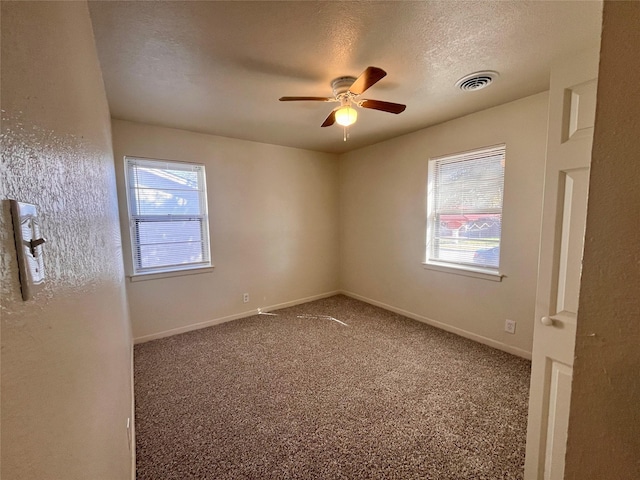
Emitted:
pixel 135 219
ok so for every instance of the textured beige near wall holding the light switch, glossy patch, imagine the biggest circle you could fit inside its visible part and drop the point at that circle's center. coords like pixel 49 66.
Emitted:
pixel 66 354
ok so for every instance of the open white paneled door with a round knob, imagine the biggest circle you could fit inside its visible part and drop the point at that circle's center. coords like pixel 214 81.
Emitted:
pixel 572 100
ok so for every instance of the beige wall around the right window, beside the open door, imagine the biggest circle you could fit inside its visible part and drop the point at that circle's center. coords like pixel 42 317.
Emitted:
pixel 383 225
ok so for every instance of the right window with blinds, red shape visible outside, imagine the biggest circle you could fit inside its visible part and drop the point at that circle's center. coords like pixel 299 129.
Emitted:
pixel 464 214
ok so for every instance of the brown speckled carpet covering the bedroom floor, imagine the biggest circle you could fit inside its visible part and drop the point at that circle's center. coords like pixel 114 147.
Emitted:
pixel 332 389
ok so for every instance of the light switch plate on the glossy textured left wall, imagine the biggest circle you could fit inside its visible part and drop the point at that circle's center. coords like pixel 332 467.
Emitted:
pixel 29 247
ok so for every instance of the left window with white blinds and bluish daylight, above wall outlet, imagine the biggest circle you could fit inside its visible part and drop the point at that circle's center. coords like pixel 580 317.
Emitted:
pixel 167 215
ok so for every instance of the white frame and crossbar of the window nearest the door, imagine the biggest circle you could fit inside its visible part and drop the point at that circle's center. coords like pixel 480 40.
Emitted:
pixel 462 268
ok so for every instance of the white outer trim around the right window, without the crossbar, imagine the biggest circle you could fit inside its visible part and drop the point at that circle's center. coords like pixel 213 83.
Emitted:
pixel 487 273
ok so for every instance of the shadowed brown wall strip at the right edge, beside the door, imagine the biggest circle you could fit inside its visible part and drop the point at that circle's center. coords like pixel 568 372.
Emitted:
pixel 604 423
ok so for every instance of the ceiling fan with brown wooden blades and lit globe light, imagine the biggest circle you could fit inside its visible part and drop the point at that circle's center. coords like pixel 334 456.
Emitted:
pixel 347 91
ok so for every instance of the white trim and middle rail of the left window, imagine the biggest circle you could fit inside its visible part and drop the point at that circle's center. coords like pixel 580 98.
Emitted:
pixel 140 273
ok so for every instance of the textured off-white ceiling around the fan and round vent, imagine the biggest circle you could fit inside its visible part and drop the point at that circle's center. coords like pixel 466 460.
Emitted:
pixel 220 67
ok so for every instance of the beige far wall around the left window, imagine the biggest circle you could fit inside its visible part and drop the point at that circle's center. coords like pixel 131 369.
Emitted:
pixel 273 214
